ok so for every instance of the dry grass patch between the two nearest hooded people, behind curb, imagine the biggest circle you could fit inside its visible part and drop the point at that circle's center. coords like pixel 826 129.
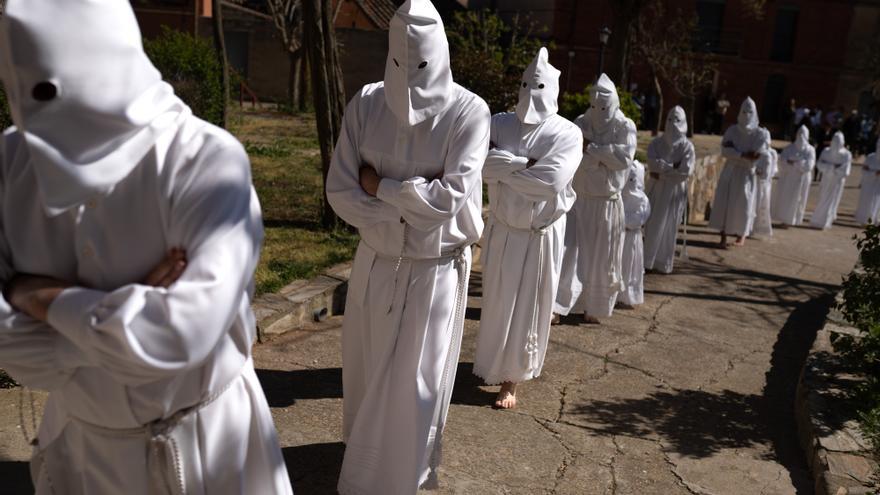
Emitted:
pixel 287 176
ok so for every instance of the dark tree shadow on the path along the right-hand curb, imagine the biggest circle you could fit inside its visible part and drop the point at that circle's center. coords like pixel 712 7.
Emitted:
pixel 699 423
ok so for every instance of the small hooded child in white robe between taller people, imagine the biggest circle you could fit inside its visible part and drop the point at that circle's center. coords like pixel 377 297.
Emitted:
pixel 637 209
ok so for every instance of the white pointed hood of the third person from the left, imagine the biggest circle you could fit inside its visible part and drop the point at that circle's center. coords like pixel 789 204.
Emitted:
pixel 538 91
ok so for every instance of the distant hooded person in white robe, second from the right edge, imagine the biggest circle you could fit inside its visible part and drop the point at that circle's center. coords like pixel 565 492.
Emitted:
pixel 835 165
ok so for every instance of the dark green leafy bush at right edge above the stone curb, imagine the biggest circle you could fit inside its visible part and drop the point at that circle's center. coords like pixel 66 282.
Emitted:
pixel 861 293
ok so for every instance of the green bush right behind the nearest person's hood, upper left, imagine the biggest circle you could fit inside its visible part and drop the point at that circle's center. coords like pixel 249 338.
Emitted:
pixel 190 64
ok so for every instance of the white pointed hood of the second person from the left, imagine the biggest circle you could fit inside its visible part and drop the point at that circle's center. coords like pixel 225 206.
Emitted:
pixel 418 78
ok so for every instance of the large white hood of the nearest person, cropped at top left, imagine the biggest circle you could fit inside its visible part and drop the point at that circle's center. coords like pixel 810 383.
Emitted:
pixel 88 102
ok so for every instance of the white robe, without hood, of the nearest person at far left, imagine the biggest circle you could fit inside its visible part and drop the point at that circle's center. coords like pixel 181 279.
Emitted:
pixel 118 357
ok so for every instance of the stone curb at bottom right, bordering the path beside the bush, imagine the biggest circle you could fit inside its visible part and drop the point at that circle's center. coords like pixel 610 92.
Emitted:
pixel 837 453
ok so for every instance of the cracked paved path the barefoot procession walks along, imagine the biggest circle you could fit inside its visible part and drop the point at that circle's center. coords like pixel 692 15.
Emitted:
pixel 691 393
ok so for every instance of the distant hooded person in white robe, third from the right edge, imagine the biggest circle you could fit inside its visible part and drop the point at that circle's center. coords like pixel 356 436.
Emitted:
pixel 795 176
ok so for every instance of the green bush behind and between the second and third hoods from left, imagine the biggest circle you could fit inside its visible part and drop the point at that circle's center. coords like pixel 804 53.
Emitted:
pixel 490 55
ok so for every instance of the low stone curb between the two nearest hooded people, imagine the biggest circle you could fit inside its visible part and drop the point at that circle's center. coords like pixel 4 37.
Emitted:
pixel 301 301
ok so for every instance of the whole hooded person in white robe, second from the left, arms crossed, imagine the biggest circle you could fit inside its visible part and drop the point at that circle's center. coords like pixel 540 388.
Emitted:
pixel 424 139
